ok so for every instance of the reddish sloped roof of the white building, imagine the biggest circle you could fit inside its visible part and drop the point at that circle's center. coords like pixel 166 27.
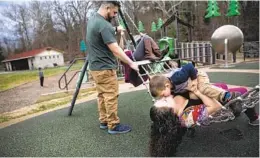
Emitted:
pixel 27 54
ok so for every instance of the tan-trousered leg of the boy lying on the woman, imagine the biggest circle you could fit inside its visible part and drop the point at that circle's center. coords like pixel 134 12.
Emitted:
pixel 206 88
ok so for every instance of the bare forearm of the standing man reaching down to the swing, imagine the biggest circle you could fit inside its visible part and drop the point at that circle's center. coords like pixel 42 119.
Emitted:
pixel 118 52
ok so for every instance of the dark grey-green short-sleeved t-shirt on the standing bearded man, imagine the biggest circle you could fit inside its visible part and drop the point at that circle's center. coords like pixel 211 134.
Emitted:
pixel 100 33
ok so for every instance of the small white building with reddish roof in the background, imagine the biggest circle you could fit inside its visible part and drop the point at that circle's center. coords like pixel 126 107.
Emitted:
pixel 34 59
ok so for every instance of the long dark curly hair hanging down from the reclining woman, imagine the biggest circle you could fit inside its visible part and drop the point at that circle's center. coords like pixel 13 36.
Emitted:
pixel 166 132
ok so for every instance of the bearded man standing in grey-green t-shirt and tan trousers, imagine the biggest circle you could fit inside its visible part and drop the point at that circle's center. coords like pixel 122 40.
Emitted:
pixel 103 50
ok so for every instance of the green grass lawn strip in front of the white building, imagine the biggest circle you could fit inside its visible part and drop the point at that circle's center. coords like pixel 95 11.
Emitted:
pixel 11 80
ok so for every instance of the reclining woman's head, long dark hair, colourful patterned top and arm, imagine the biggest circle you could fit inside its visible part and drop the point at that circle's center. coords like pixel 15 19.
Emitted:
pixel 172 116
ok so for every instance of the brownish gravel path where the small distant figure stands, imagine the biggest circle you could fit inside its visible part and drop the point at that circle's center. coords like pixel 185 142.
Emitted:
pixel 27 94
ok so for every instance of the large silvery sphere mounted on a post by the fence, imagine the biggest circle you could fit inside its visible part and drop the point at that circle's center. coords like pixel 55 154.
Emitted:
pixel 227 38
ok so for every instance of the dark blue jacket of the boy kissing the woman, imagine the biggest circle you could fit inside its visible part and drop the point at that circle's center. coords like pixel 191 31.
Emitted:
pixel 180 76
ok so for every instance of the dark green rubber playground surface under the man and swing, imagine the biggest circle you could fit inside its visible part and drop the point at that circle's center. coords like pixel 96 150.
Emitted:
pixel 57 134
